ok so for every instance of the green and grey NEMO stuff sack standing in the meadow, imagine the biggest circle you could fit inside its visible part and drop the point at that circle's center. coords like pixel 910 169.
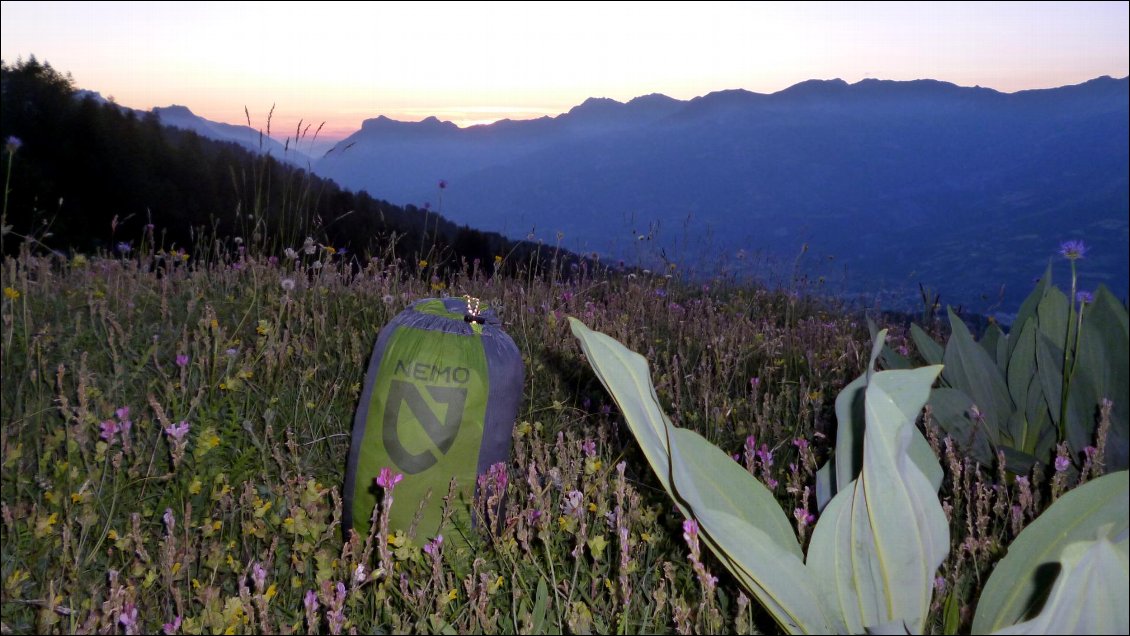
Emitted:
pixel 441 396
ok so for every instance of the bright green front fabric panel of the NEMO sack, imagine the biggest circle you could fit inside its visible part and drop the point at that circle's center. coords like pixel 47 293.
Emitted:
pixel 425 421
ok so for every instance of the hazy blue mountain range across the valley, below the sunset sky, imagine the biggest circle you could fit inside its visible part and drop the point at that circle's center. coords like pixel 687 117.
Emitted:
pixel 889 184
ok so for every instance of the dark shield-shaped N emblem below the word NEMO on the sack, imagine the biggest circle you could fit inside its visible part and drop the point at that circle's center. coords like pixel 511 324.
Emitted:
pixel 442 433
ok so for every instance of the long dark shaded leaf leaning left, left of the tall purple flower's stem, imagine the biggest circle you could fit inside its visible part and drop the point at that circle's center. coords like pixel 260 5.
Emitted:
pixel 970 369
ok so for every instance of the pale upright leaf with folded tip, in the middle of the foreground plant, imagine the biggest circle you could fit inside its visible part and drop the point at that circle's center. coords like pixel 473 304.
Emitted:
pixel 882 539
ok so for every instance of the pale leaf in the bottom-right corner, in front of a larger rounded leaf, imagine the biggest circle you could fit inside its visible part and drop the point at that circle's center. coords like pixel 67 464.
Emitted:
pixel 1090 596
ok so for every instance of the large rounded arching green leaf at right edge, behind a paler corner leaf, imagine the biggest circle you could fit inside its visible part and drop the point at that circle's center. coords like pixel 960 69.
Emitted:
pixel 1021 581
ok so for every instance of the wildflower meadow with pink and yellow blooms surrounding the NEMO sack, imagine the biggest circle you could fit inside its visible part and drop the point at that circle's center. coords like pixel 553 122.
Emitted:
pixel 176 432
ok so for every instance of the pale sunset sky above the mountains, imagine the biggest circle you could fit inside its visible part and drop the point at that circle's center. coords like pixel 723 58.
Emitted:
pixel 476 63
